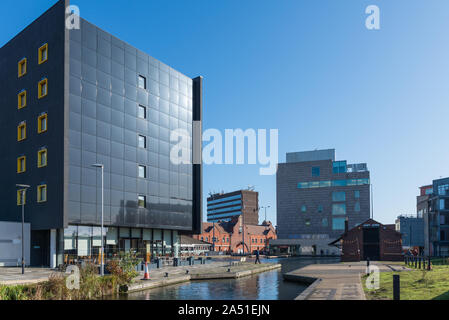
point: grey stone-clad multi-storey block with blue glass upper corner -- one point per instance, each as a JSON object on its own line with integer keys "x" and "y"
{"x": 315, "y": 195}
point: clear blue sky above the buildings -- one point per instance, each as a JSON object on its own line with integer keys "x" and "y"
{"x": 308, "y": 68}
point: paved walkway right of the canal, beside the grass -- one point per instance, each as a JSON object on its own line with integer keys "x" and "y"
{"x": 340, "y": 281}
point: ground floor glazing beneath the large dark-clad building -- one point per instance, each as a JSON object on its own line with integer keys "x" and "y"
{"x": 78, "y": 243}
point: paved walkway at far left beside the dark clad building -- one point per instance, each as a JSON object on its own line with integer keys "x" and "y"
{"x": 14, "y": 276}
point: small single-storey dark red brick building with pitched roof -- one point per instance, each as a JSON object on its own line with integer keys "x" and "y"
{"x": 372, "y": 240}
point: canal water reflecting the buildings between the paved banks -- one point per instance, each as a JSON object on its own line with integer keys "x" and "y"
{"x": 263, "y": 286}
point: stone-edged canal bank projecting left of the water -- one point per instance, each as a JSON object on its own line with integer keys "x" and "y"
{"x": 217, "y": 270}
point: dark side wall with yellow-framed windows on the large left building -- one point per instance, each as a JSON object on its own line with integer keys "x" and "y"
{"x": 48, "y": 28}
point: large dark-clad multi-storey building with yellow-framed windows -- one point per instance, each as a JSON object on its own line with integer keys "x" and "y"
{"x": 72, "y": 98}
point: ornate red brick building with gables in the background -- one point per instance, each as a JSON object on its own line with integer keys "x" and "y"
{"x": 229, "y": 237}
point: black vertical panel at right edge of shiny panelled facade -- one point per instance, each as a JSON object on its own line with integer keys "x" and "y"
{"x": 197, "y": 169}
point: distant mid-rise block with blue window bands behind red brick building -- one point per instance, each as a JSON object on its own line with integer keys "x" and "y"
{"x": 225, "y": 206}
